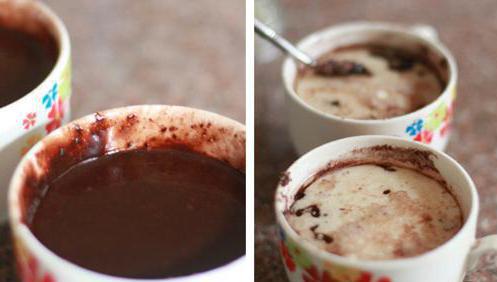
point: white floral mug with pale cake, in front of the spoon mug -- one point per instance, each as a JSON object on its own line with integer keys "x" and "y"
{"x": 446, "y": 263}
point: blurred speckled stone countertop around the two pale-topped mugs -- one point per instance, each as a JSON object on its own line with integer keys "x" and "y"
{"x": 467, "y": 27}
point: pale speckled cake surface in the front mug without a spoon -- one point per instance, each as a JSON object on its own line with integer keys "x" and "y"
{"x": 372, "y": 212}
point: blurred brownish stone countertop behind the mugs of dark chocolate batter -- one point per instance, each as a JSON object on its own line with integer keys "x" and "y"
{"x": 176, "y": 52}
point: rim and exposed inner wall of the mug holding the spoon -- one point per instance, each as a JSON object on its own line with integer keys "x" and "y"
{"x": 318, "y": 43}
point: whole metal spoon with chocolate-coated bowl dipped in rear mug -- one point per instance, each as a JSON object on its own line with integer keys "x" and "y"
{"x": 325, "y": 68}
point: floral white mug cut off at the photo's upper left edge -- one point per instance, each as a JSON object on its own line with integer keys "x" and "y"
{"x": 46, "y": 107}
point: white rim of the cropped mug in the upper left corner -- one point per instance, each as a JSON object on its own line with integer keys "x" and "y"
{"x": 61, "y": 36}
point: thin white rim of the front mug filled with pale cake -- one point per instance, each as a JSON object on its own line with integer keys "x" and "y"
{"x": 385, "y": 264}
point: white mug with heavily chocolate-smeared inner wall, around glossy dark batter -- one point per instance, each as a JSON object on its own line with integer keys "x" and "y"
{"x": 116, "y": 130}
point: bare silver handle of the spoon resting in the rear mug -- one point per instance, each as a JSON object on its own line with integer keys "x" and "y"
{"x": 283, "y": 44}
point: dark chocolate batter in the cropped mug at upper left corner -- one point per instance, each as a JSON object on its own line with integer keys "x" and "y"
{"x": 25, "y": 61}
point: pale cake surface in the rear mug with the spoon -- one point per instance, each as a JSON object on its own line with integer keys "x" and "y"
{"x": 385, "y": 93}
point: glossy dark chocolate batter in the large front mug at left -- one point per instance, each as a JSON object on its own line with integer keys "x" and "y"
{"x": 145, "y": 214}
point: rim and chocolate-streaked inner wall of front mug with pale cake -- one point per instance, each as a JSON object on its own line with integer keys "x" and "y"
{"x": 433, "y": 163}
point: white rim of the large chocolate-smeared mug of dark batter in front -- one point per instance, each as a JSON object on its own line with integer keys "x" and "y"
{"x": 39, "y": 250}
